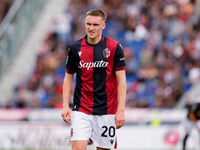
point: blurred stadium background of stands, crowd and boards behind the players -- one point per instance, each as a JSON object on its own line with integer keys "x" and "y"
{"x": 161, "y": 41}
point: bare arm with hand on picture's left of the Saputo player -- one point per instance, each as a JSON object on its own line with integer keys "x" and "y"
{"x": 67, "y": 90}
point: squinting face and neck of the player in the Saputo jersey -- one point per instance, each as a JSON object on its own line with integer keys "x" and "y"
{"x": 94, "y": 27}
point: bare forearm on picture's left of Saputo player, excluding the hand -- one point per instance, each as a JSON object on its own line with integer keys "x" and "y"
{"x": 67, "y": 90}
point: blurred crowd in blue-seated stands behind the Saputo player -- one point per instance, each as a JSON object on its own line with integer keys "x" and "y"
{"x": 161, "y": 42}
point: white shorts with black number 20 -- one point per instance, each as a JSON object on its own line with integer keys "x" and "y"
{"x": 101, "y": 129}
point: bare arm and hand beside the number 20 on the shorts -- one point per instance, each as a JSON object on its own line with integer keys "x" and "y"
{"x": 121, "y": 90}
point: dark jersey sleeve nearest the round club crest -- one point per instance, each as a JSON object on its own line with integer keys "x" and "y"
{"x": 119, "y": 60}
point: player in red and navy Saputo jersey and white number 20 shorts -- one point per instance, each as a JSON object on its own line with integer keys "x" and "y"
{"x": 99, "y": 97}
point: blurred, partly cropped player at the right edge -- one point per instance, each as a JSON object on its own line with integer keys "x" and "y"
{"x": 192, "y": 122}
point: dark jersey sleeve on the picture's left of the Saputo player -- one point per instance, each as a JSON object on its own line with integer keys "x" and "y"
{"x": 70, "y": 65}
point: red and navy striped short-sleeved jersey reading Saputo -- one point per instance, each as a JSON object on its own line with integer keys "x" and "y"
{"x": 95, "y": 65}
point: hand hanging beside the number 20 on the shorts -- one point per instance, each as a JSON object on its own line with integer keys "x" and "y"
{"x": 119, "y": 119}
